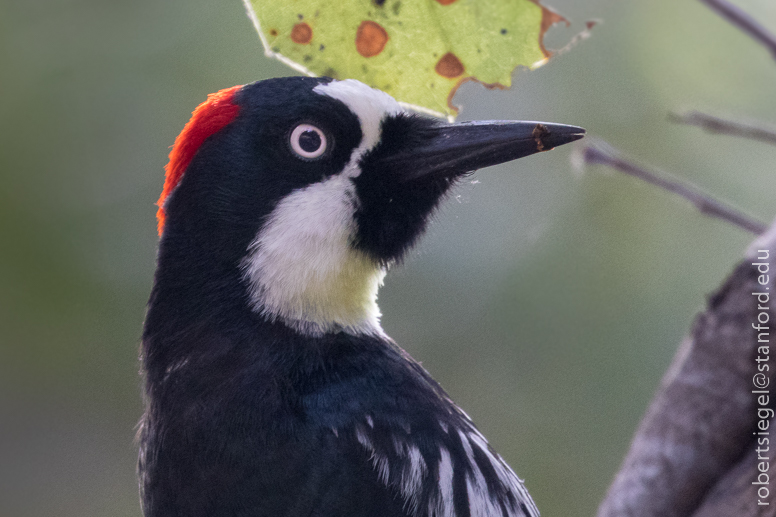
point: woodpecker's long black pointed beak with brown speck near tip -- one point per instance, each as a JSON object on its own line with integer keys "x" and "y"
{"x": 453, "y": 149}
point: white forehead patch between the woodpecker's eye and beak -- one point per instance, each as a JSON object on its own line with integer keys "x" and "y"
{"x": 369, "y": 105}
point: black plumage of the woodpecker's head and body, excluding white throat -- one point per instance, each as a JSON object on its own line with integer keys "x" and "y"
{"x": 248, "y": 416}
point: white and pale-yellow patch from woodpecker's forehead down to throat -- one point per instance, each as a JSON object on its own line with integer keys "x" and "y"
{"x": 301, "y": 268}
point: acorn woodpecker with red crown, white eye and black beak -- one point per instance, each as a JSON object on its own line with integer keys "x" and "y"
{"x": 270, "y": 387}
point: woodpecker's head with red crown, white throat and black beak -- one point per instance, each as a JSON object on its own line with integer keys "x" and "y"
{"x": 307, "y": 189}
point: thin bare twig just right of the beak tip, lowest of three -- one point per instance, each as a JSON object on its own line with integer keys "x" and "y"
{"x": 601, "y": 153}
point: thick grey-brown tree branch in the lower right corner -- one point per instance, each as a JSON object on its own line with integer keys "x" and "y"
{"x": 695, "y": 452}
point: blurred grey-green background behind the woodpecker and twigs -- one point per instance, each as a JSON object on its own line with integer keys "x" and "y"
{"x": 548, "y": 303}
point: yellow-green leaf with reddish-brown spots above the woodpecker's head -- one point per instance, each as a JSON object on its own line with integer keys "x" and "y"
{"x": 419, "y": 51}
